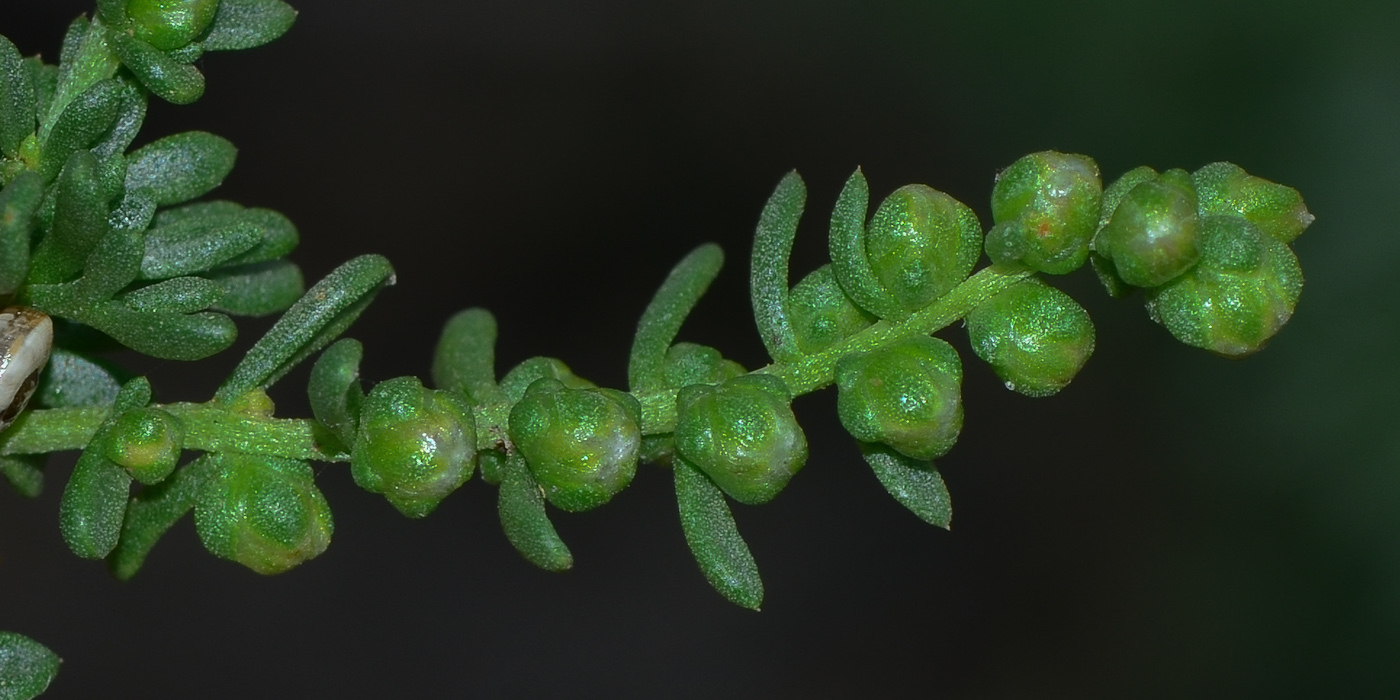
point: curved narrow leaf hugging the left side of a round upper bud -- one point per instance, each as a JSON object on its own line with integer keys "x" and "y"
{"x": 848, "y": 247}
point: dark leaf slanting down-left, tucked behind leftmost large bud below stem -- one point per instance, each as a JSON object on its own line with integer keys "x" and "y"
{"x": 155, "y": 512}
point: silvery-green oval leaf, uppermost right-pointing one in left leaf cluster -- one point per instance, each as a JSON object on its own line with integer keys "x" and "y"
{"x": 181, "y": 167}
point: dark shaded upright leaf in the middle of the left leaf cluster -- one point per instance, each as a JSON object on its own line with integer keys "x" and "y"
{"x": 79, "y": 223}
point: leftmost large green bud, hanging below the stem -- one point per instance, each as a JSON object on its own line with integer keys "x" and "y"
{"x": 264, "y": 513}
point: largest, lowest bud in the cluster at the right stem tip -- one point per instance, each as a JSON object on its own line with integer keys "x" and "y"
{"x": 1238, "y": 296}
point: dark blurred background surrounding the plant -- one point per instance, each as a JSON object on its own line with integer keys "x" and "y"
{"x": 1171, "y": 526}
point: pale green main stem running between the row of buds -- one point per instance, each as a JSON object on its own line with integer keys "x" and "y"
{"x": 215, "y": 429}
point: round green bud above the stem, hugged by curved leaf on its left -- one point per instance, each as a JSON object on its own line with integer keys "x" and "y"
{"x": 922, "y": 244}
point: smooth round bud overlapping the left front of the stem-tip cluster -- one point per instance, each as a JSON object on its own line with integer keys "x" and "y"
{"x": 1153, "y": 234}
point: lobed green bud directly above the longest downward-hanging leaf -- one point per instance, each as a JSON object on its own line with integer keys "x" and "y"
{"x": 743, "y": 435}
